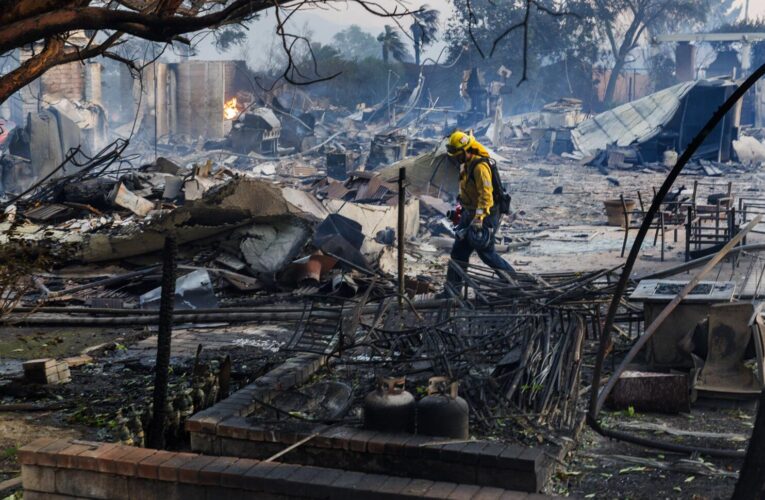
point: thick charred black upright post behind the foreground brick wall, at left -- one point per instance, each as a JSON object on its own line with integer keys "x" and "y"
{"x": 162, "y": 367}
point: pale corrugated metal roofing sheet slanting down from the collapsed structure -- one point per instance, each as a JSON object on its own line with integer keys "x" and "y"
{"x": 634, "y": 122}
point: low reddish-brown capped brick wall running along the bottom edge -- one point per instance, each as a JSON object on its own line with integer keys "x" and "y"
{"x": 66, "y": 469}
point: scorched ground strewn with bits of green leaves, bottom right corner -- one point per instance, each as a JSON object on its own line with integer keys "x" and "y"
{"x": 602, "y": 468}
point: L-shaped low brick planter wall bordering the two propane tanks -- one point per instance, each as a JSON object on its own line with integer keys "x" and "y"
{"x": 224, "y": 429}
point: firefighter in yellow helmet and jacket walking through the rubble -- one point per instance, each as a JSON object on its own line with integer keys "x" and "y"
{"x": 481, "y": 214}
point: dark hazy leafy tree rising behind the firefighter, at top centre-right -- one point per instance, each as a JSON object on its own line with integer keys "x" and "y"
{"x": 561, "y": 50}
